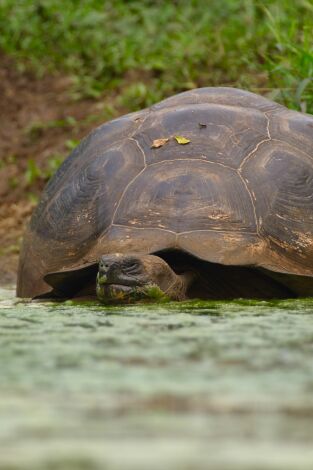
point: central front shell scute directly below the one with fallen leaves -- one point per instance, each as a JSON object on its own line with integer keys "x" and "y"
{"x": 180, "y": 196}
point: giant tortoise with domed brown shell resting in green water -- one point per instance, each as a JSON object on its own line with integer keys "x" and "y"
{"x": 207, "y": 194}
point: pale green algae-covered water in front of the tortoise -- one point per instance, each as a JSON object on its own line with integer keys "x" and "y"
{"x": 221, "y": 385}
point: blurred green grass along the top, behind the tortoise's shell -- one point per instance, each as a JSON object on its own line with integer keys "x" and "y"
{"x": 152, "y": 49}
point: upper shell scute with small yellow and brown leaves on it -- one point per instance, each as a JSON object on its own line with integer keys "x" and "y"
{"x": 226, "y": 136}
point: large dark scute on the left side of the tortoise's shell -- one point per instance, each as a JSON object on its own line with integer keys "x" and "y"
{"x": 88, "y": 201}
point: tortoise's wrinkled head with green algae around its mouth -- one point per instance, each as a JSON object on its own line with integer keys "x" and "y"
{"x": 126, "y": 278}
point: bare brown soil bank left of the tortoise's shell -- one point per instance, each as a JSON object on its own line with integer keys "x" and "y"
{"x": 30, "y": 110}
